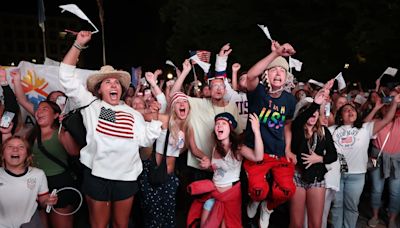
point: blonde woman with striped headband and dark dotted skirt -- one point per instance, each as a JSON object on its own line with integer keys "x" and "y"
{"x": 159, "y": 201}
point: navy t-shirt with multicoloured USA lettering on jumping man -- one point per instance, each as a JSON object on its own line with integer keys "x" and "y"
{"x": 273, "y": 113}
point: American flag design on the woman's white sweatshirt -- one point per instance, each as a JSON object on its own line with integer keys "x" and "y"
{"x": 115, "y": 123}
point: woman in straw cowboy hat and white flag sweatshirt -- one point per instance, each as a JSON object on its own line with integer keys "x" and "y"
{"x": 115, "y": 132}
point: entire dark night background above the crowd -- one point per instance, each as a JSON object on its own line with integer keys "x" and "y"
{"x": 326, "y": 34}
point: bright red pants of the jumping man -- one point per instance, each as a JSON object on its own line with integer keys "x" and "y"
{"x": 282, "y": 187}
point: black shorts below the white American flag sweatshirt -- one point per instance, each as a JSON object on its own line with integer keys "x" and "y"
{"x": 101, "y": 189}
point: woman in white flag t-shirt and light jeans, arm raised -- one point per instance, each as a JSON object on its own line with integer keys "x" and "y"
{"x": 351, "y": 138}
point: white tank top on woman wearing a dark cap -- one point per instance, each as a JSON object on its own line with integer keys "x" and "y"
{"x": 226, "y": 170}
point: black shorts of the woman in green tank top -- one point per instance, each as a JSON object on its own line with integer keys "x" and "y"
{"x": 59, "y": 181}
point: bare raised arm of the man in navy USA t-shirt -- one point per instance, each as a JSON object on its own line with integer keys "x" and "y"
{"x": 259, "y": 68}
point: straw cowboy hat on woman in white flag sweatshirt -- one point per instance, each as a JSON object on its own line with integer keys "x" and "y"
{"x": 105, "y": 72}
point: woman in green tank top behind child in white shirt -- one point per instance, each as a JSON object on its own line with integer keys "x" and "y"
{"x": 46, "y": 138}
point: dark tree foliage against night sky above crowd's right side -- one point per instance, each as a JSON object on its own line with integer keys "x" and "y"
{"x": 326, "y": 34}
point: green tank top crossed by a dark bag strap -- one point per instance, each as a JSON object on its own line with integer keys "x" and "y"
{"x": 55, "y": 148}
